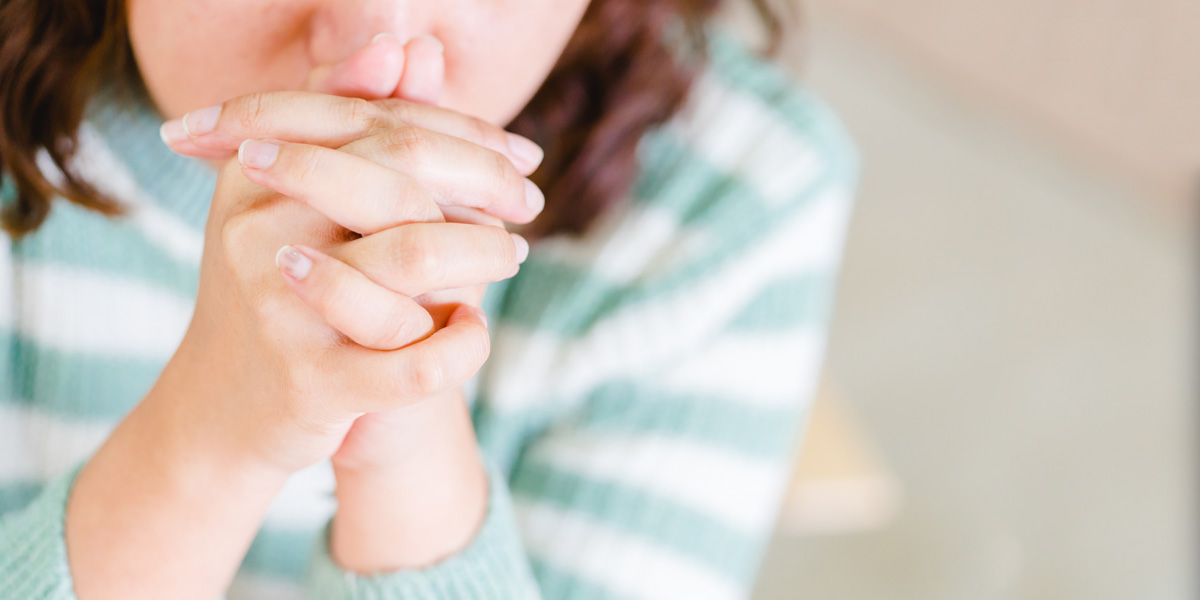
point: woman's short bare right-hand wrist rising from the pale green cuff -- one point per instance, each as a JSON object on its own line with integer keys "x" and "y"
{"x": 421, "y": 509}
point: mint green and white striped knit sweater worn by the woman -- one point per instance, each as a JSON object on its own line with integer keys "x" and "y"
{"x": 639, "y": 413}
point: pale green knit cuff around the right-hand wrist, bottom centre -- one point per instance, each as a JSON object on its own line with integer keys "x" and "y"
{"x": 491, "y": 567}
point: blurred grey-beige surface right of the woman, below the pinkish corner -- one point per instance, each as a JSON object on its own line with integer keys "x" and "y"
{"x": 1017, "y": 340}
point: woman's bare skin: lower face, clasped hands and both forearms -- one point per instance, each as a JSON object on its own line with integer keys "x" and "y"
{"x": 359, "y": 214}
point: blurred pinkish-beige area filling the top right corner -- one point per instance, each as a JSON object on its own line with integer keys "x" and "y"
{"x": 1117, "y": 82}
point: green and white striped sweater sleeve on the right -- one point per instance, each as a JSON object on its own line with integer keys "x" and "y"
{"x": 680, "y": 352}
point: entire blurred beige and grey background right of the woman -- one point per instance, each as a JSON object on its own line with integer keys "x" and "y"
{"x": 1007, "y": 410}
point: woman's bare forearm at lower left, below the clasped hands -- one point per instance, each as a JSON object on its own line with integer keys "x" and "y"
{"x": 163, "y": 512}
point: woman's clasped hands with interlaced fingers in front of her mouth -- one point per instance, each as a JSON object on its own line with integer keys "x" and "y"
{"x": 385, "y": 215}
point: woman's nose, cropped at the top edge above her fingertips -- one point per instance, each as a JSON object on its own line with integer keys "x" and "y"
{"x": 339, "y": 28}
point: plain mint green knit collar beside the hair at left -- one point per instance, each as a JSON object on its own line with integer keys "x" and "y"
{"x": 129, "y": 127}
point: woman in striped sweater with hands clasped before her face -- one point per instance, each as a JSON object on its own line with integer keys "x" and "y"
{"x": 241, "y": 352}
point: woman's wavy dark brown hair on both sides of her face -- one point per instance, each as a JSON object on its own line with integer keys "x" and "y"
{"x": 621, "y": 75}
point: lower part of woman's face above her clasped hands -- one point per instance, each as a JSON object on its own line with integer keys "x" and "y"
{"x": 203, "y": 52}
